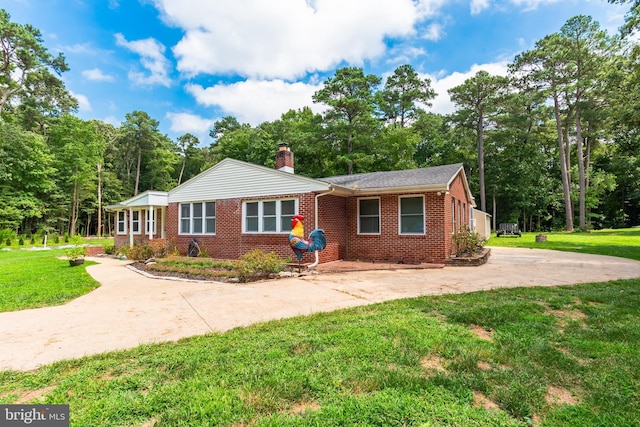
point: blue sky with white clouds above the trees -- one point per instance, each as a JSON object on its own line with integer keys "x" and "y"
{"x": 188, "y": 63}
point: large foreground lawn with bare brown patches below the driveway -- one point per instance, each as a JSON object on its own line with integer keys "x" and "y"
{"x": 562, "y": 356}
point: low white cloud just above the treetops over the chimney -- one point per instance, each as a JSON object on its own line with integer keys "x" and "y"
{"x": 256, "y": 101}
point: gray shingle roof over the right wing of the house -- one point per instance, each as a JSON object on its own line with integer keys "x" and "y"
{"x": 432, "y": 176}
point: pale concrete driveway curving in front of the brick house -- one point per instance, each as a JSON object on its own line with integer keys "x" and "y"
{"x": 130, "y": 309}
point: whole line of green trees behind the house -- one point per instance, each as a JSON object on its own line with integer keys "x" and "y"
{"x": 552, "y": 145}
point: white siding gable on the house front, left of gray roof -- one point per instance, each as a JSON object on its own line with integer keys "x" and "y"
{"x": 232, "y": 179}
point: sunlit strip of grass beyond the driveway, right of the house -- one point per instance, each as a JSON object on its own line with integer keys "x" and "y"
{"x": 623, "y": 243}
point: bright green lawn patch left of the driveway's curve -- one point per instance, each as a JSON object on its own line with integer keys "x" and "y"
{"x": 32, "y": 279}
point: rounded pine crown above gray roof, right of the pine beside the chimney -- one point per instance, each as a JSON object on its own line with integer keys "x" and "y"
{"x": 402, "y": 92}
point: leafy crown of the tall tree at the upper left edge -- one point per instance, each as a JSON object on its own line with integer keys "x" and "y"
{"x": 24, "y": 62}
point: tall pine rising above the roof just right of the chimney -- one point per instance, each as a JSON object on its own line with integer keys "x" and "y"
{"x": 350, "y": 121}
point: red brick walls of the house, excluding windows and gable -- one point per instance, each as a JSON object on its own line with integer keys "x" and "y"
{"x": 338, "y": 216}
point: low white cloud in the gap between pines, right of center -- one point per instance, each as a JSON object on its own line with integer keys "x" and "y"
{"x": 442, "y": 103}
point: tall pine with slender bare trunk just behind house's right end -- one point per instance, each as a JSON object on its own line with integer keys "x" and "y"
{"x": 479, "y": 98}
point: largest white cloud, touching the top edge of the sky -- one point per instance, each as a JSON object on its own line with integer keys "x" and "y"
{"x": 286, "y": 38}
